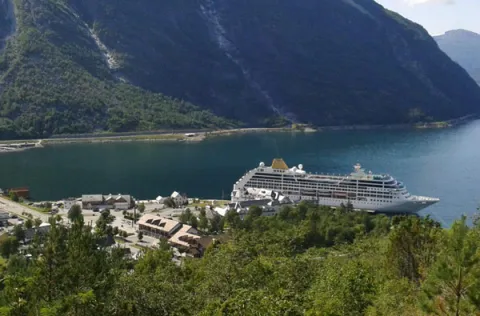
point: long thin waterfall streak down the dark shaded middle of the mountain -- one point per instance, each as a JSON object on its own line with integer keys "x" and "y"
{"x": 219, "y": 35}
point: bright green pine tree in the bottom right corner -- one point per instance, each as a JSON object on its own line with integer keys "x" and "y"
{"x": 453, "y": 284}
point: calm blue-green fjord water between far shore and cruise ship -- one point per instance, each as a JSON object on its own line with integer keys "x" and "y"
{"x": 440, "y": 163}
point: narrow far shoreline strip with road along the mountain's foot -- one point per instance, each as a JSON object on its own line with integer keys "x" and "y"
{"x": 195, "y": 136}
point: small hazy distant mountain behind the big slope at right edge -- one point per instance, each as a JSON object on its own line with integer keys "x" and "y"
{"x": 463, "y": 47}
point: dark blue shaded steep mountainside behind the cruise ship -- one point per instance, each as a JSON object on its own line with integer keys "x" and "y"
{"x": 328, "y": 62}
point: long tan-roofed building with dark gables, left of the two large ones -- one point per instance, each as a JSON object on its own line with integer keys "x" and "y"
{"x": 158, "y": 227}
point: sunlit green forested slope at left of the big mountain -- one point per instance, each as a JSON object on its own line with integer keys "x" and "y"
{"x": 54, "y": 79}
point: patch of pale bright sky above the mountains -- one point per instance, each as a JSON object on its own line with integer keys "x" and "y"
{"x": 439, "y": 16}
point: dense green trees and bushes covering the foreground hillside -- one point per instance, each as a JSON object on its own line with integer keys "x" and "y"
{"x": 306, "y": 260}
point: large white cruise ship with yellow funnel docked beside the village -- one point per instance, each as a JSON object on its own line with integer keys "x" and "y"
{"x": 365, "y": 191}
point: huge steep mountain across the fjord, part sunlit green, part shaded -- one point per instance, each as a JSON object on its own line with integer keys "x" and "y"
{"x": 72, "y": 66}
